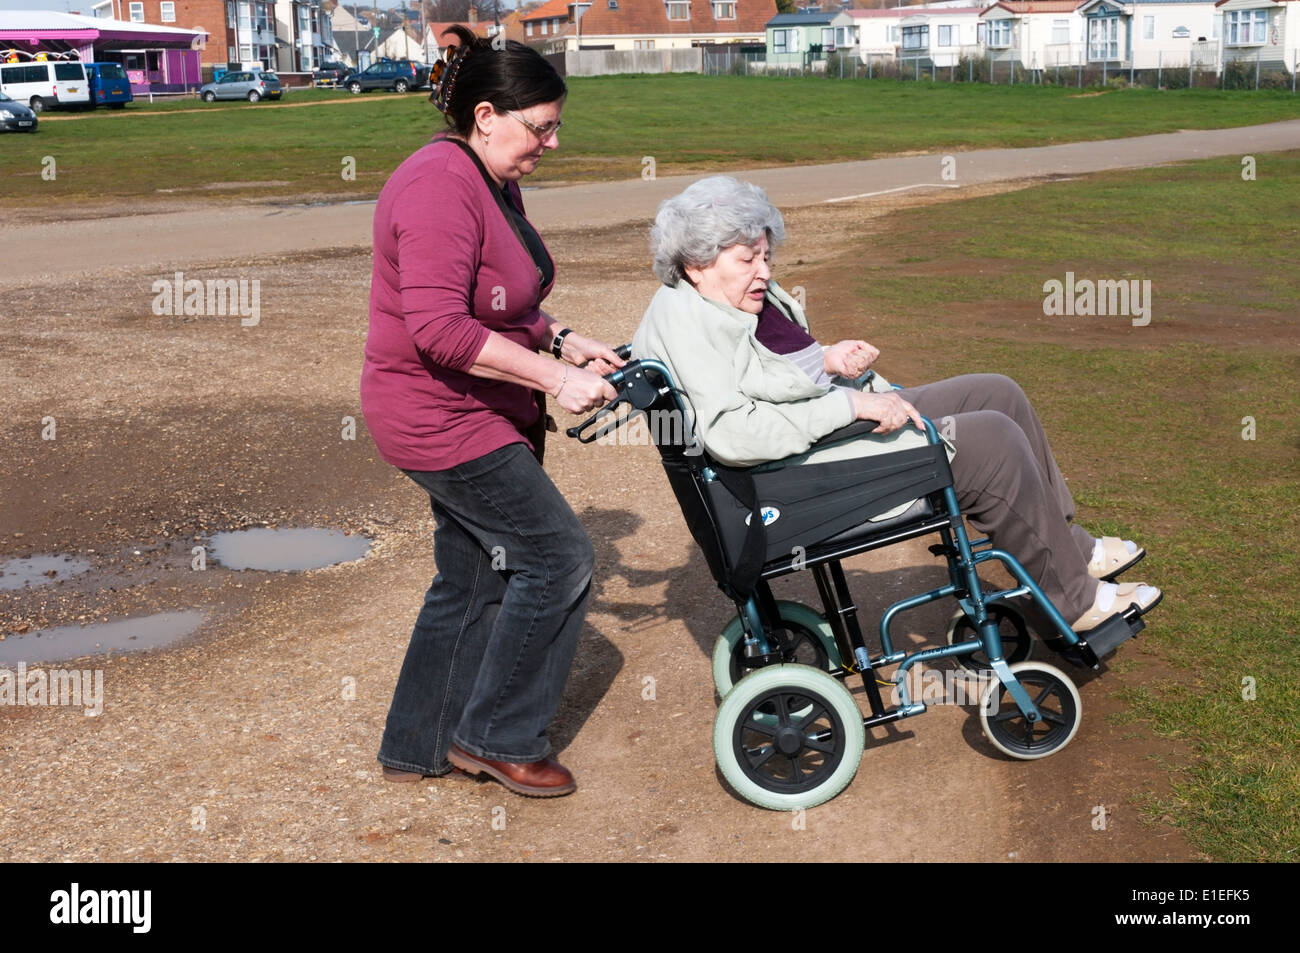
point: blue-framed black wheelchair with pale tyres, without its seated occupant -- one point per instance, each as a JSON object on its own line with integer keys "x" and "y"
{"x": 788, "y": 734}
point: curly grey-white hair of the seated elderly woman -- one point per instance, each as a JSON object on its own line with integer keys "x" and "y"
{"x": 709, "y": 216}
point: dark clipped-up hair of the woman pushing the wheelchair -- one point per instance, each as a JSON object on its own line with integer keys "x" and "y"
{"x": 505, "y": 73}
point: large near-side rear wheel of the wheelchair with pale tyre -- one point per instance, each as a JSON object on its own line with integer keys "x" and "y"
{"x": 788, "y": 738}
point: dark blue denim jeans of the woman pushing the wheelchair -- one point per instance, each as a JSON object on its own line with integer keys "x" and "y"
{"x": 493, "y": 644}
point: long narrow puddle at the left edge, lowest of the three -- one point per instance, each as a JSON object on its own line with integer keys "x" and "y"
{"x": 127, "y": 635}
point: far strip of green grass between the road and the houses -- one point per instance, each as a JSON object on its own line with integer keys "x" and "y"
{"x": 687, "y": 123}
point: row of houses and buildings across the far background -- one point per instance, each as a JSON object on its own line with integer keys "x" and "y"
{"x": 167, "y": 45}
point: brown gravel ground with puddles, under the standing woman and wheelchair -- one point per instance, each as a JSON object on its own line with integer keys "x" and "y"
{"x": 171, "y": 428}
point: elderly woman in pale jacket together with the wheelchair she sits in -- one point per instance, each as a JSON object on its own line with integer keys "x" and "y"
{"x": 796, "y": 456}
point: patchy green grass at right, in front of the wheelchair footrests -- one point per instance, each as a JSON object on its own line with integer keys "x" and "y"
{"x": 1150, "y": 424}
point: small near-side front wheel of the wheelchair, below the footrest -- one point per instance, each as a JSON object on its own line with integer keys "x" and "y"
{"x": 1058, "y": 701}
